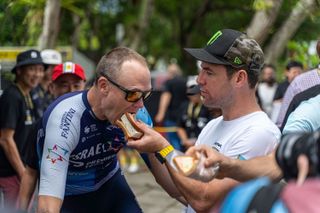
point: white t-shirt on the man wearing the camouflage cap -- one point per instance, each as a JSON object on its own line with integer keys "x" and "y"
{"x": 244, "y": 138}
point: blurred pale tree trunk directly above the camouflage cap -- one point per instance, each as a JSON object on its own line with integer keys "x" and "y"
{"x": 263, "y": 20}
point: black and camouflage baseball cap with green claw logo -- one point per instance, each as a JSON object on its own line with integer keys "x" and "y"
{"x": 231, "y": 47}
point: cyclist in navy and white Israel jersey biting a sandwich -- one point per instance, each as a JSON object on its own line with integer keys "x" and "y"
{"x": 78, "y": 141}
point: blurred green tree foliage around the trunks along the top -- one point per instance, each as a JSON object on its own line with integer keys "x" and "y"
{"x": 90, "y": 26}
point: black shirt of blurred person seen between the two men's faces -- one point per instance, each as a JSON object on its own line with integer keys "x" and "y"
{"x": 177, "y": 88}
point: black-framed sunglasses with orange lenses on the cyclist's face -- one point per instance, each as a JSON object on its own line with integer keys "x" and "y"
{"x": 131, "y": 95}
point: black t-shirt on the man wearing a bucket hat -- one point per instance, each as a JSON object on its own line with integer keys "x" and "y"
{"x": 15, "y": 114}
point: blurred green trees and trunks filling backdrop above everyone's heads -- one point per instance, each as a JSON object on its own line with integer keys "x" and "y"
{"x": 84, "y": 30}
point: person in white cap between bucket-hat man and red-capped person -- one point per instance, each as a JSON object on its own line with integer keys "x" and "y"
{"x": 40, "y": 94}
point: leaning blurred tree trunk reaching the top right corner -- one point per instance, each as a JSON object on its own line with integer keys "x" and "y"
{"x": 278, "y": 42}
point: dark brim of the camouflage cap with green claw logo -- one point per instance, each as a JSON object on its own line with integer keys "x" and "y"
{"x": 202, "y": 55}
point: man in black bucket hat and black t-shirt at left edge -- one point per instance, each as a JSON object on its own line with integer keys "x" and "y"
{"x": 17, "y": 118}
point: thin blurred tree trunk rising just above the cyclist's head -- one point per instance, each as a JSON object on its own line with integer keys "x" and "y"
{"x": 145, "y": 14}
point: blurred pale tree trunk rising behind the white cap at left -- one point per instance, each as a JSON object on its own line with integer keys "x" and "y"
{"x": 50, "y": 24}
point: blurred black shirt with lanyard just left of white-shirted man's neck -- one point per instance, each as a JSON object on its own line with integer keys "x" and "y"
{"x": 193, "y": 118}
